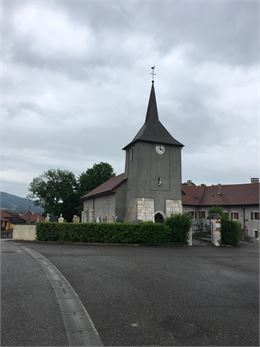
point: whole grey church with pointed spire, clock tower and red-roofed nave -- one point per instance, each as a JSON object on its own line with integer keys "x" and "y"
{"x": 150, "y": 189}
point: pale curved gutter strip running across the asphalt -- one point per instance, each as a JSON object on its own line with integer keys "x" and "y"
{"x": 79, "y": 327}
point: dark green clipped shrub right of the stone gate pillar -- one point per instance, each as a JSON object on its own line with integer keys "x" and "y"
{"x": 230, "y": 232}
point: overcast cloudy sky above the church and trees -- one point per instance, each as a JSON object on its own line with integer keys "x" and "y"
{"x": 75, "y": 82}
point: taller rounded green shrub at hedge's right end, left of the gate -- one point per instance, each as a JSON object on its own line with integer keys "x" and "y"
{"x": 180, "y": 225}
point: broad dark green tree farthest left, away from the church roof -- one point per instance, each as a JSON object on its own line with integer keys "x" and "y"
{"x": 57, "y": 192}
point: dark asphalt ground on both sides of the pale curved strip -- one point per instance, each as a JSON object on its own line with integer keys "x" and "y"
{"x": 187, "y": 296}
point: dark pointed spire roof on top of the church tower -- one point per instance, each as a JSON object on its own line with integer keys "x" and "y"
{"x": 153, "y": 130}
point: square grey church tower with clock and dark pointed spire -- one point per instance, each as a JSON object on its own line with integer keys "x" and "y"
{"x": 153, "y": 170}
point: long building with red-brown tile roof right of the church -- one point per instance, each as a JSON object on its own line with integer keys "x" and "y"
{"x": 239, "y": 202}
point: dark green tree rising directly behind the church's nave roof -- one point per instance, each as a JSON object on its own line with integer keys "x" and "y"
{"x": 94, "y": 176}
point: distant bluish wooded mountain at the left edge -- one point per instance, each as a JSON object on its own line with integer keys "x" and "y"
{"x": 10, "y": 202}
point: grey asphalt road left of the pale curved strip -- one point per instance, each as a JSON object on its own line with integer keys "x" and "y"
{"x": 30, "y": 314}
